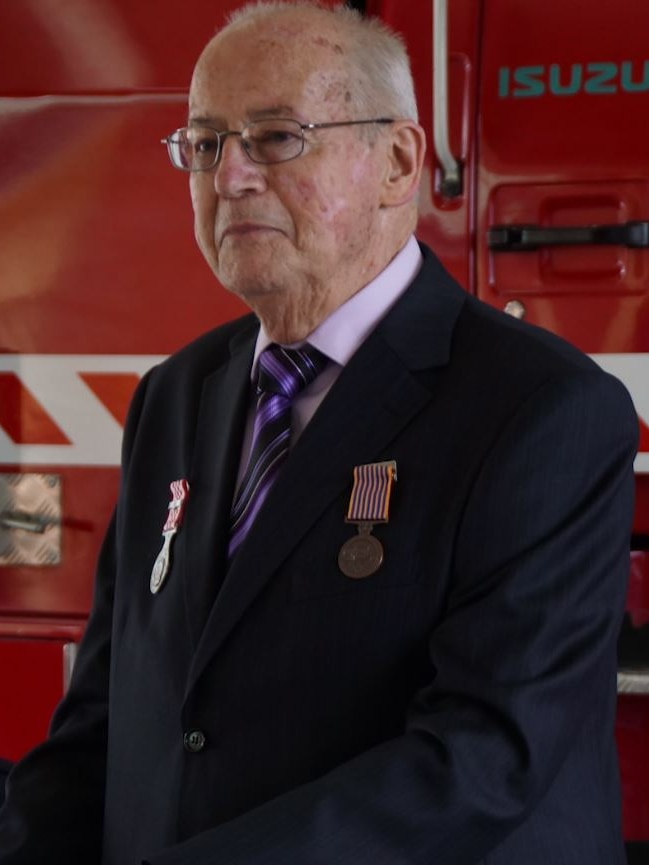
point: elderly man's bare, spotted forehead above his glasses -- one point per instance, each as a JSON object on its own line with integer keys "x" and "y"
{"x": 278, "y": 61}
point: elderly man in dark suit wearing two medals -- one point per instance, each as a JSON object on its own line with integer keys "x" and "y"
{"x": 376, "y": 623}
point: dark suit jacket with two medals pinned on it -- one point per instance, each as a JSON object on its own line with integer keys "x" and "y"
{"x": 455, "y": 708}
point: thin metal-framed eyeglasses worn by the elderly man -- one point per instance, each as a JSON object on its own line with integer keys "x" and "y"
{"x": 198, "y": 148}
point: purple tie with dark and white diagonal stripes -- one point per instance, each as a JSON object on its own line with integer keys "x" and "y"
{"x": 283, "y": 374}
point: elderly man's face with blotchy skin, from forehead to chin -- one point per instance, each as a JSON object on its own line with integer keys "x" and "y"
{"x": 300, "y": 234}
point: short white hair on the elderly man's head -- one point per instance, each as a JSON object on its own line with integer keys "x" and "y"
{"x": 381, "y": 82}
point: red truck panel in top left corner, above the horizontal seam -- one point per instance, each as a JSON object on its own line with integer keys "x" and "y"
{"x": 104, "y": 45}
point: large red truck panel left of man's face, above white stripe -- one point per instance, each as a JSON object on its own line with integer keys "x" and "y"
{"x": 85, "y": 214}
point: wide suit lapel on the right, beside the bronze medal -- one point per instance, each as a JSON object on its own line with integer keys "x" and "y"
{"x": 376, "y": 395}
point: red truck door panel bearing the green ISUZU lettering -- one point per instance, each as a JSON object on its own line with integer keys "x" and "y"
{"x": 562, "y": 85}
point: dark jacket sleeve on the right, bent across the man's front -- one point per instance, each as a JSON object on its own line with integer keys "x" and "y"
{"x": 525, "y": 652}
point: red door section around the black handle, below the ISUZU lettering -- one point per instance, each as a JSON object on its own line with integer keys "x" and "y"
{"x": 593, "y": 296}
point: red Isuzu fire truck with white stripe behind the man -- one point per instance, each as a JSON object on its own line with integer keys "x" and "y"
{"x": 535, "y": 195}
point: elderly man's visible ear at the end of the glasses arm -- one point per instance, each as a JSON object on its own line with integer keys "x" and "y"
{"x": 405, "y": 159}
